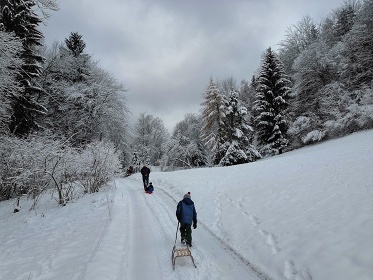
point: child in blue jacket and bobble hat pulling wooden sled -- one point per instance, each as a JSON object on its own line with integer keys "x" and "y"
{"x": 186, "y": 215}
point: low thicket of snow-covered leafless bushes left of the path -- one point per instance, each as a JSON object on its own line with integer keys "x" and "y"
{"x": 31, "y": 166}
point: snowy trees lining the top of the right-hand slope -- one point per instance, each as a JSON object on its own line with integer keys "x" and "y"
{"x": 316, "y": 86}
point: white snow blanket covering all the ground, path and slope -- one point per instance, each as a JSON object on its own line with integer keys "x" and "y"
{"x": 302, "y": 215}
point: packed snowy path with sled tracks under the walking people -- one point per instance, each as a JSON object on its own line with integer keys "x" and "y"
{"x": 149, "y": 228}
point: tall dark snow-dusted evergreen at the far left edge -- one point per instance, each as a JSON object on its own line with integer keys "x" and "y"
{"x": 18, "y": 17}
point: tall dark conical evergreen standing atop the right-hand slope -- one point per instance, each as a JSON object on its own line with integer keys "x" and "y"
{"x": 270, "y": 105}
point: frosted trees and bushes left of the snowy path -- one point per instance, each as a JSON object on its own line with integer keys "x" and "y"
{"x": 63, "y": 119}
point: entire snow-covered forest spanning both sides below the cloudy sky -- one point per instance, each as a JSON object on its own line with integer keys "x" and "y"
{"x": 64, "y": 120}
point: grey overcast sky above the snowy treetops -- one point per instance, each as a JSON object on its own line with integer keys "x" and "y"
{"x": 165, "y": 51}
